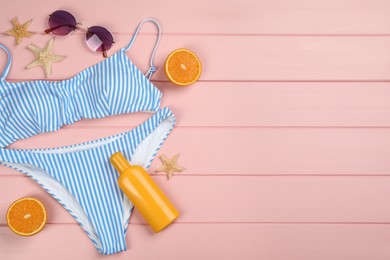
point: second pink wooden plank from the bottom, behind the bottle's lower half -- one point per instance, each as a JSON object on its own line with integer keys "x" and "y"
{"x": 247, "y": 199}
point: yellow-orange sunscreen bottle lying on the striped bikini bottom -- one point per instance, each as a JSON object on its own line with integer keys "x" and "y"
{"x": 144, "y": 193}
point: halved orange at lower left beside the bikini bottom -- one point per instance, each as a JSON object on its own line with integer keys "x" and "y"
{"x": 26, "y": 216}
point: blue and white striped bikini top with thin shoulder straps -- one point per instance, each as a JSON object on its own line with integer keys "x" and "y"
{"x": 110, "y": 87}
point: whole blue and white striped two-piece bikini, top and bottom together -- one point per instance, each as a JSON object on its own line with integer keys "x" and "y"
{"x": 80, "y": 177}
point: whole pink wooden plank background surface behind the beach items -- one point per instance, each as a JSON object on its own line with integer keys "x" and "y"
{"x": 285, "y": 138}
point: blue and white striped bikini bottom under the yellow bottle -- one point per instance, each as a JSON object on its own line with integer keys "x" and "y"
{"x": 81, "y": 178}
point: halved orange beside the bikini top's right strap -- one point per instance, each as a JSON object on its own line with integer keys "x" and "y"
{"x": 183, "y": 67}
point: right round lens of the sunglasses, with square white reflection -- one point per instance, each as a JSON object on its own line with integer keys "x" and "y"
{"x": 99, "y": 39}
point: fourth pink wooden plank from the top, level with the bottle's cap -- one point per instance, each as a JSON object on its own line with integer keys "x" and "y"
{"x": 255, "y": 151}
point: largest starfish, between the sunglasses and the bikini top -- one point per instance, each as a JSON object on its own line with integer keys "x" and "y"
{"x": 44, "y": 57}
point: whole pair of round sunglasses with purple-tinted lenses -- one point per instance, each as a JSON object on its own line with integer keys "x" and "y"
{"x": 98, "y": 38}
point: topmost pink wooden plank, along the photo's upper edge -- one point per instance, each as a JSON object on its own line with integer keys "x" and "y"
{"x": 202, "y": 16}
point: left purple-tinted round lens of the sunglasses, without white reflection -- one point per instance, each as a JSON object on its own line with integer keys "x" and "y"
{"x": 62, "y": 23}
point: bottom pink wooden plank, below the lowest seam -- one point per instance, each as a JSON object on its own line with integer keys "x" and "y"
{"x": 221, "y": 241}
